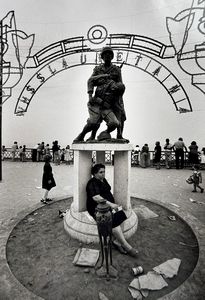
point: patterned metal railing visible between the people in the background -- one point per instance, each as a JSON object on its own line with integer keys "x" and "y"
{"x": 109, "y": 157}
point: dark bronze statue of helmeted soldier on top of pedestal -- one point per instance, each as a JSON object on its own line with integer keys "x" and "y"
{"x": 107, "y": 102}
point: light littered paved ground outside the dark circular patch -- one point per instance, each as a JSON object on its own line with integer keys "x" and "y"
{"x": 20, "y": 193}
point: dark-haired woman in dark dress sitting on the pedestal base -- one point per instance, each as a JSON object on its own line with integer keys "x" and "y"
{"x": 98, "y": 190}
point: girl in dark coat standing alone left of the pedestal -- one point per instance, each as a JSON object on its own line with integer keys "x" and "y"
{"x": 48, "y": 181}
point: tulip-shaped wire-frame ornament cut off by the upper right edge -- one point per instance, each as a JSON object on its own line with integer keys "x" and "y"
{"x": 190, "y": 57}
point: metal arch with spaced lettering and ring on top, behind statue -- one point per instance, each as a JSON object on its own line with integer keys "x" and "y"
{"x": 129, "y": 49}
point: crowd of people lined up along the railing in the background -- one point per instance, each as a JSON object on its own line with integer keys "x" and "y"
{"x": 173, "y": 154}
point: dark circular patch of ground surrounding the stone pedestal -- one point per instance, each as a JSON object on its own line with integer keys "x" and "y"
{"x": 40, "y": 254}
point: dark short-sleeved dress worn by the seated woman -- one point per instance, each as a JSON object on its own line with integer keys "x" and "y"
{"x": 97, "y": 187}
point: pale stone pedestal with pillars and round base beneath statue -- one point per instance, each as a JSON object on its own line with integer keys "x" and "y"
{"x": 77, "y": 222}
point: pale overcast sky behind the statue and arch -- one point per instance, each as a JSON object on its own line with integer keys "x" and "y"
{"x": 58, "y": 110}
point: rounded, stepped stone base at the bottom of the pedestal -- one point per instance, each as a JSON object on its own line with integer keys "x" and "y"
{"x": 81, "y": 226}
